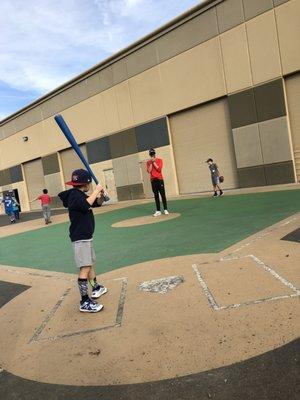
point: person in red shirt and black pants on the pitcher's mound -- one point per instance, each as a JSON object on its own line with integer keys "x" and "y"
{"x": 154, "y": 168}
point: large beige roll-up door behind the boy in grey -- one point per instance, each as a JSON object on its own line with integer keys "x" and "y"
{"x": 198, "y": 134}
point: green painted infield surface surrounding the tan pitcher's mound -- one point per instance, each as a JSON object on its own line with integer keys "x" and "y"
{"x": 206, "y": 225}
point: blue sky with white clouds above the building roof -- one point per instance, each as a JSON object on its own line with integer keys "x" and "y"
{"x": 44, "y": 43}
